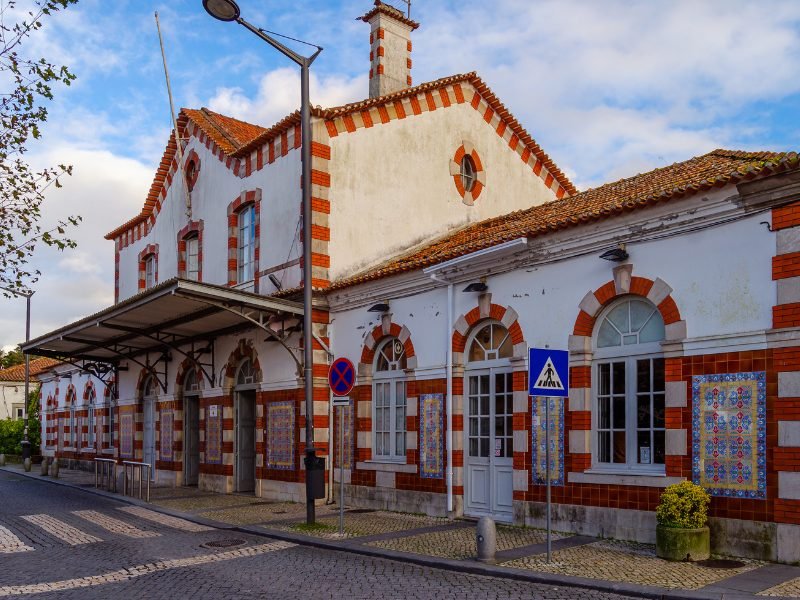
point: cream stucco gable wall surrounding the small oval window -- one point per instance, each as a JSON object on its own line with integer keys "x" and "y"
{"x": 391, "y": 185}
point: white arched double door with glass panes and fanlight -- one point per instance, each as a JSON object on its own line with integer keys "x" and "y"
{"x": 488, "y": 431}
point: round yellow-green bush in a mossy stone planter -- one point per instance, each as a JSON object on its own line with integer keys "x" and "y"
{"x": 682, "y": 515}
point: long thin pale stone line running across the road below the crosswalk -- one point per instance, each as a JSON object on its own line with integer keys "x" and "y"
{"x": 129, "y": 573}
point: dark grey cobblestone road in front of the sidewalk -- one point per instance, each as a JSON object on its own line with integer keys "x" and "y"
{"x": 178, "y": 563}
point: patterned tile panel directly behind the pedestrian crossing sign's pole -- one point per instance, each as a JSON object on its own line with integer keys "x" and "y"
{"x": 539, "y": 440}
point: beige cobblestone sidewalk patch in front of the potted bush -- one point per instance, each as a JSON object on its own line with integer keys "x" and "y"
{"x": 628, "y": 562}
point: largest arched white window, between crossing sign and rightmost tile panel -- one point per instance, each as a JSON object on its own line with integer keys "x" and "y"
{"x": 628, "y": 381}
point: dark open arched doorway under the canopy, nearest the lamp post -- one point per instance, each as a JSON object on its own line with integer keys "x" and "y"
{"x": 244, "y": 415}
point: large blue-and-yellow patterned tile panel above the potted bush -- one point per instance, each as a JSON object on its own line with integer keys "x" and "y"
{"x": 729, "y": 434}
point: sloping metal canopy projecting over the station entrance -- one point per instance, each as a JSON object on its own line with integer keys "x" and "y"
{"x": 170, "y": 316}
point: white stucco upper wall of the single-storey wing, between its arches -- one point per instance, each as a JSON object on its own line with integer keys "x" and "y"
{"x": 721, "y": 286}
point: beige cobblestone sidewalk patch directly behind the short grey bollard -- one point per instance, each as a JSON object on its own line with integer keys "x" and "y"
{"x": 459, "y": 543}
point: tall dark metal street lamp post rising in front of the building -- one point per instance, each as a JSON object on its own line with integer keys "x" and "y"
{"x": 228, "y": 10}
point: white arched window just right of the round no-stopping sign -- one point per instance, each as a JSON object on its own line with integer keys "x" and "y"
{"x": 389, "y": 401}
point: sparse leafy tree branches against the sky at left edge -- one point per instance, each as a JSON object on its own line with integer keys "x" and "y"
{"x": 26, "y": 86}
